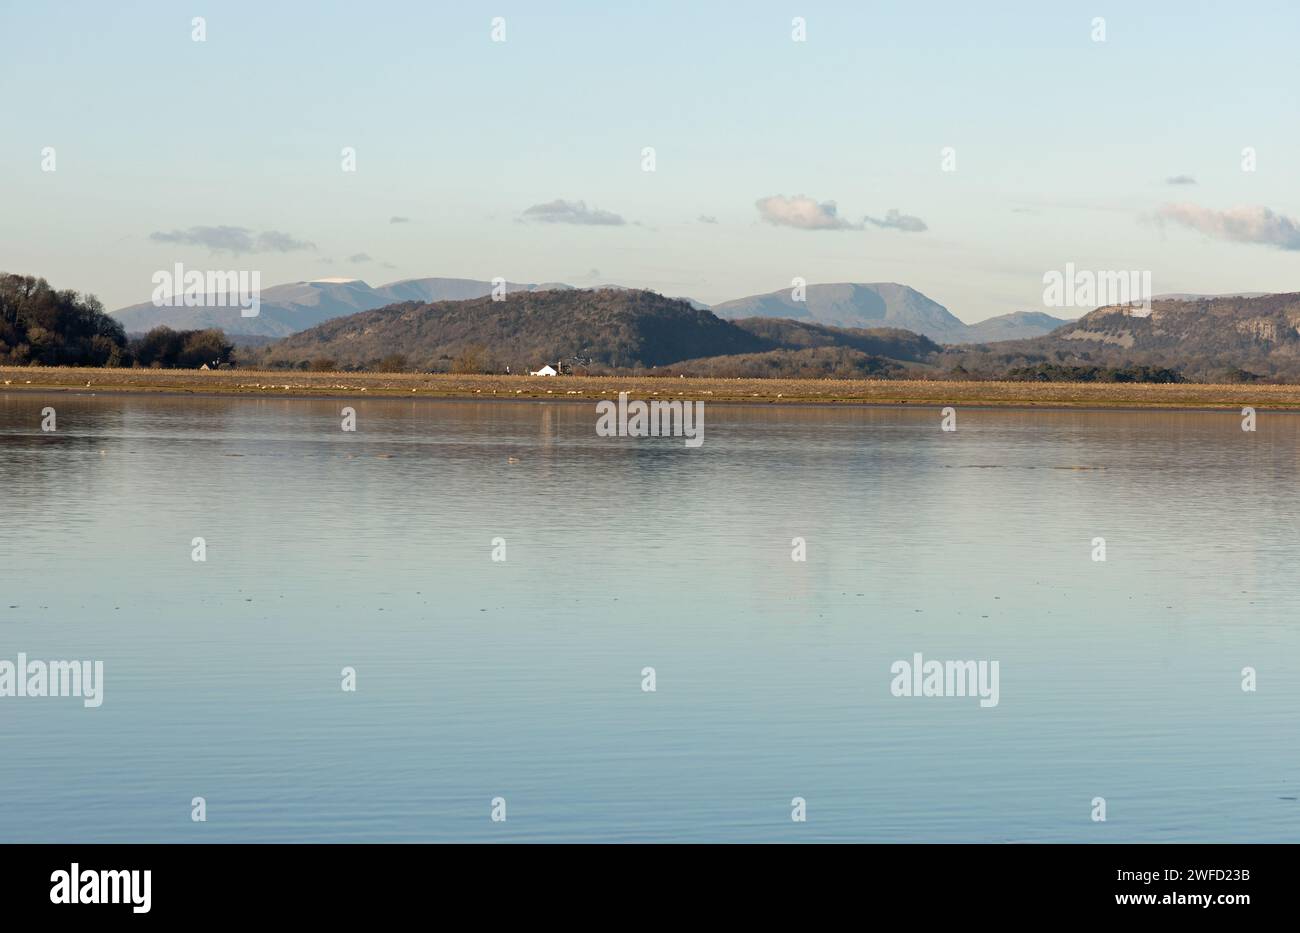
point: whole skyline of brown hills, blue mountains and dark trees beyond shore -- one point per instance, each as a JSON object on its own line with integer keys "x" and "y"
{"x": 1227, "y": 339}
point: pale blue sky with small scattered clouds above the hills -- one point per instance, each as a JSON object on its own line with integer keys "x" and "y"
{"x": 1064, "y": 146}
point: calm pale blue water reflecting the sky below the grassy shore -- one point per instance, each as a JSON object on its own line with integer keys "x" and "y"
{"x": 523, "y": 679}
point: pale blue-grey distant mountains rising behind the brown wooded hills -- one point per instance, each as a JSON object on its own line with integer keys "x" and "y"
{"x": 296, "y": 307}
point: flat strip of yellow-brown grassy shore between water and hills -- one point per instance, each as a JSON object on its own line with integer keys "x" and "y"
{"x": 580, "y": 388}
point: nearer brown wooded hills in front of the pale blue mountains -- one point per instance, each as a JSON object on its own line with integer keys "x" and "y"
{"x": 1203, "y": 339}
